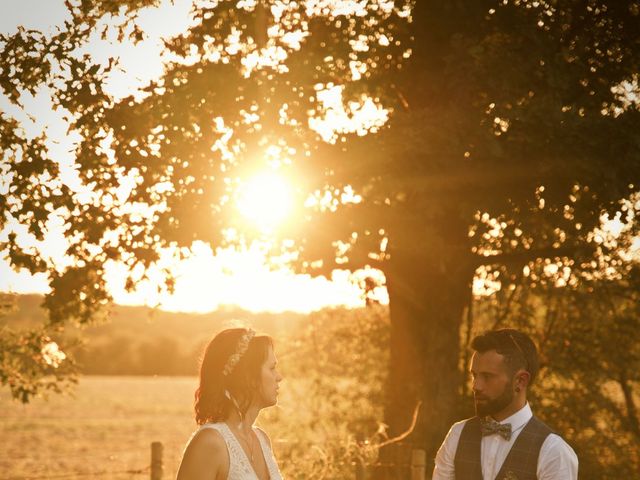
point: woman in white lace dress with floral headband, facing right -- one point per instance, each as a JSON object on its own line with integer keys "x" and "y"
{"x": 238, "y": 378}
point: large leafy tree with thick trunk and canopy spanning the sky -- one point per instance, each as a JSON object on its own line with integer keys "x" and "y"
{"x": 509, "y": 121}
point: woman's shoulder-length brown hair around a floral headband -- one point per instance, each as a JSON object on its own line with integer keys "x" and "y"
{"x": 243, "y": 382}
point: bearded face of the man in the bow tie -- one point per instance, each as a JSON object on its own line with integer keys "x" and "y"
{"x": 492, "y": 383}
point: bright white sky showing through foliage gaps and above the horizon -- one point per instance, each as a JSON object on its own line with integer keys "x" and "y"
{"x": 208, "y": 279}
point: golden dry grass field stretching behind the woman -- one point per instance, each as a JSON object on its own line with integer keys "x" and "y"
{"x": 105, "y": 429}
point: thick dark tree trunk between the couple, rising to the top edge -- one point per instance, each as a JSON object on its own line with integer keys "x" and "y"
{"x": 431, "y": 266}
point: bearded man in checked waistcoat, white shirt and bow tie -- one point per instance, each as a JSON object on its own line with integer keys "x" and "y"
{"x": 504, "y": 441}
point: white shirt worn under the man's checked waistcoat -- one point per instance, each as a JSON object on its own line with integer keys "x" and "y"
{"x": 557, "y": 460}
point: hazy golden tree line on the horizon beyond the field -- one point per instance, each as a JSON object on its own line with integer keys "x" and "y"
{"x": 136, "y": 341}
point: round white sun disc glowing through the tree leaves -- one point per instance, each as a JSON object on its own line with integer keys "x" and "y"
{"x": 265, "y": 201}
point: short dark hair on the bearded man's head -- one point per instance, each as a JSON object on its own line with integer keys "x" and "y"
{"x": 517, "y": 348}
